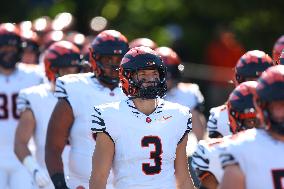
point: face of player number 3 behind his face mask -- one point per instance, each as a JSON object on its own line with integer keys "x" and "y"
{"x": 147, "y": 77}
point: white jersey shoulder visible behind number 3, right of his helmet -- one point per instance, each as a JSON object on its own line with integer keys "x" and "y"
{"x": 187, "y": 94}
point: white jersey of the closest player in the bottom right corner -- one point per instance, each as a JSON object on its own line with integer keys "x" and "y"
{"x": 260, "y": 158}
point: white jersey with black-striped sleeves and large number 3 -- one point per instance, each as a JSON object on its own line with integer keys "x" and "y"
{"x": 145, "y": 146}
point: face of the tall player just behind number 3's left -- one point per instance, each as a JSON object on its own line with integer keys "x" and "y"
{"x": 110, "y": 65}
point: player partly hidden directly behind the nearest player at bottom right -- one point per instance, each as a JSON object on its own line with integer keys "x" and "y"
{"x": 242, "y": 116}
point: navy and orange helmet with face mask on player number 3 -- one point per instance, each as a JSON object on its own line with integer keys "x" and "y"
{"x": 135, "y": 61}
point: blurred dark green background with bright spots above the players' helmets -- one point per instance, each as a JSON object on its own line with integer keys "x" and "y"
{"x": 209, "y": 36}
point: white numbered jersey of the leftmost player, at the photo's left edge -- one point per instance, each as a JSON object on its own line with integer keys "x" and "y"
{"x": 24, "y": 76}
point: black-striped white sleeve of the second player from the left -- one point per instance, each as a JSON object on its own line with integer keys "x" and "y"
{"x": 23, "y": 101}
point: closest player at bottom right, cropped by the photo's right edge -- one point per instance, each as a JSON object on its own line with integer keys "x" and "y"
{"x": 255, "y": 159}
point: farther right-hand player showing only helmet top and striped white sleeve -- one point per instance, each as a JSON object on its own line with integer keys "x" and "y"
{"x": 248, "y": 68}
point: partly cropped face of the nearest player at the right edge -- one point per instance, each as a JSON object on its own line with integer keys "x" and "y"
{"x": 276, "y": 110}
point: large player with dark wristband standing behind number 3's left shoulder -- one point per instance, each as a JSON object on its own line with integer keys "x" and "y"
{"x": 77, "y": 94}
